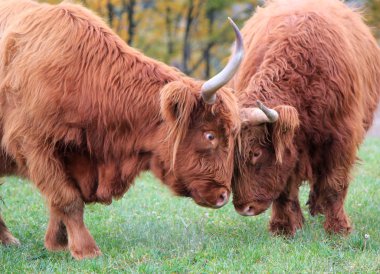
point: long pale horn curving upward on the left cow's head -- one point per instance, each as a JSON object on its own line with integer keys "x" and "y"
{"x": 210, "y": 87}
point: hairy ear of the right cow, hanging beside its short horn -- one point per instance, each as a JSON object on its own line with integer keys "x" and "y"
{"x": 284, "y": 129}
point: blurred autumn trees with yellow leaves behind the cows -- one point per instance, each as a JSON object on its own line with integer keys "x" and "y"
{"x": 193, "y": 35}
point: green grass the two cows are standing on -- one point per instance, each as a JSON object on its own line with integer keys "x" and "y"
{"x": 151, "y": 231}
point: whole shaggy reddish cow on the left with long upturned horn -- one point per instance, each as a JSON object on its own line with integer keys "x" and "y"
{"x": 82, "y": 114}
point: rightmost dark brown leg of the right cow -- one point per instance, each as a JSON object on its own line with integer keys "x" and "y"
{"x": 332, "y": 181}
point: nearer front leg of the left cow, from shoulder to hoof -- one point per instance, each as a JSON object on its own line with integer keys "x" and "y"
{"x": 65, "y": 201}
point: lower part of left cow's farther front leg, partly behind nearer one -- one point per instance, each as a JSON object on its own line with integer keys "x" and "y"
{"x": 56, "y": 234}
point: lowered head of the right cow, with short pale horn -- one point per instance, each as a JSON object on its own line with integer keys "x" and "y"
{"x": 265, "y": 157}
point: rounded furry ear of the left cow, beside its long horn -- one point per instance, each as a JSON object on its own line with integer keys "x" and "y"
{"x": 177, "y": 102}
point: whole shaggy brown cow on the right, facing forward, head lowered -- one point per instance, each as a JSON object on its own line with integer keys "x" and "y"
{"x": 318, "y": 66}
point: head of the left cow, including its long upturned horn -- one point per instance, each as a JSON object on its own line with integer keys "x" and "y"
{"x": 200, "y": 124}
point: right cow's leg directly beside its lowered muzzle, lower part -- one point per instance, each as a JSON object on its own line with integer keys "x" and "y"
{"x": 286, "y": 213}
